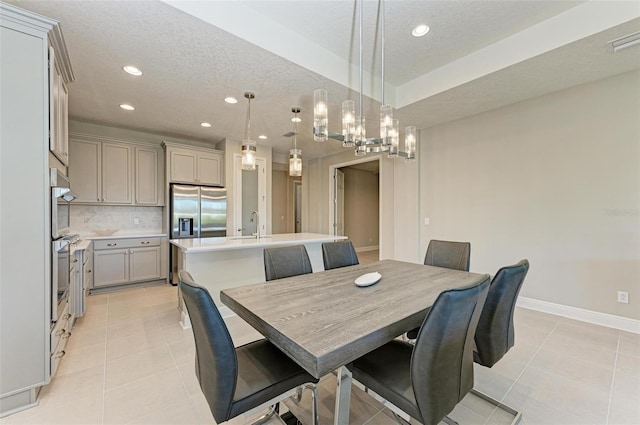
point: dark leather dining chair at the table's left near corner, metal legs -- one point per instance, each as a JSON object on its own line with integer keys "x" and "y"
{"x": 238, "y": 380}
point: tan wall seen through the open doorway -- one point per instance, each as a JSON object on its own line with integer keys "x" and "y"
{"x": 361, "y": 207}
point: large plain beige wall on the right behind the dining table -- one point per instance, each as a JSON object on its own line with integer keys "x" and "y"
{"x": 554, "y": 179}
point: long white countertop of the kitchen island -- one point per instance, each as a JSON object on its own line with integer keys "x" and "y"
{"x": 243, "y": 242}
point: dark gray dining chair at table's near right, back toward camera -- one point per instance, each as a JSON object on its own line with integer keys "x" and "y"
{"x": 427, "y": 381}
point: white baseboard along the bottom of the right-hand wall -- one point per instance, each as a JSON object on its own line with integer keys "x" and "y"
{"x": 597, "y": 318}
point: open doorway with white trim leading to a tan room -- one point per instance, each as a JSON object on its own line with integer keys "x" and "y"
{"x": 355, "y": 194}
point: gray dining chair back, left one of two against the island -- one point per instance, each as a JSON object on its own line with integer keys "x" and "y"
{"x": 286, "y": 261}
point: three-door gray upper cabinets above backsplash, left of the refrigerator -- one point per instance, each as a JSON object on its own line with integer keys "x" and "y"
{"x": 106, "y": 171}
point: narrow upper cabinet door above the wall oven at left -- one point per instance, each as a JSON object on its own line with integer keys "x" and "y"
{"x": 58, "y": 110}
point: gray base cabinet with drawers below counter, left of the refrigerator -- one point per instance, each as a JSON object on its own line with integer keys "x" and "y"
{"x": 124, "y": 261}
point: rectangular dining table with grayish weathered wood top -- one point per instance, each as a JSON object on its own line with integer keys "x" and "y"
{"x": 324, "y": 321}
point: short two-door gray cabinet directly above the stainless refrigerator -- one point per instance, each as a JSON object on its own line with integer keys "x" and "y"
{"x": 194, "y": 165}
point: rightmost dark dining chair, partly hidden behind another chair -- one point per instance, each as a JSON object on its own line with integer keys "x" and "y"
{"x": 495, "y": 332}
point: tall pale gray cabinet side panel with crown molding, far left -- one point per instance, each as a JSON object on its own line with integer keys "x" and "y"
{"x": 25, "y": 304}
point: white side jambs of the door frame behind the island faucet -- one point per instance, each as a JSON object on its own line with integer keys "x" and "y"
{"x": 261, "y": 162}
